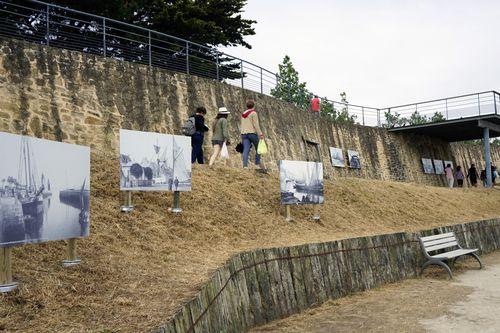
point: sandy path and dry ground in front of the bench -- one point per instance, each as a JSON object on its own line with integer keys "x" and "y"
{"x": 471, "y": 303}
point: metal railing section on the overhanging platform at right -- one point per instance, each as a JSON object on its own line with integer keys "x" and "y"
{"x": 457, "y": 107}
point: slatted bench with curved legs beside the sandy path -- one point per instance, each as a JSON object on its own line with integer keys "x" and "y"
{"x": 449, "y": 251}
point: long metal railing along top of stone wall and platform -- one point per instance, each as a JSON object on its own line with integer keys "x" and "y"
{"x": 66, "y": 28}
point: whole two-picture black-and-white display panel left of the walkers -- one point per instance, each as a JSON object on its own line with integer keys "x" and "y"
{"x": 154, "y": 162}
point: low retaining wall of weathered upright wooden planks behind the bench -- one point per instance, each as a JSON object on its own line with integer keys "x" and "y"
{"x": 260, "y": 286}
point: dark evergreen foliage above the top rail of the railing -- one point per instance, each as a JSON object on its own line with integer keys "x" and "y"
{"x": 215, "y": 22}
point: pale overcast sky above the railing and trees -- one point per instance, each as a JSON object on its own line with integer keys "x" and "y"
{"x": 381, "y": 52}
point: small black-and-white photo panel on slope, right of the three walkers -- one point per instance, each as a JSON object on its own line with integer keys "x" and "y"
{"x": 301, "y": 182}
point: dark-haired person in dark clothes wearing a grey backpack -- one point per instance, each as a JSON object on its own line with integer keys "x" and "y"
{"x": 196, "y": 128}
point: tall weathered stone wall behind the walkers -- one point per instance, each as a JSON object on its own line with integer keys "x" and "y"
{"x": 78, "y": 98}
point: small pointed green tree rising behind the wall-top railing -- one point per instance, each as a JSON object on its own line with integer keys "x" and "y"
{"x": 289, "y": 87}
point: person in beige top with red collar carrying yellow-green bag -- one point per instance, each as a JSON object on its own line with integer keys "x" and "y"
{"x": 250, "y": 134}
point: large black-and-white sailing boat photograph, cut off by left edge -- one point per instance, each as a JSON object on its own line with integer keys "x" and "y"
{"x": 44, "y": 190}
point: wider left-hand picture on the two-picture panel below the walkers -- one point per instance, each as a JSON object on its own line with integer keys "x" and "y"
{"x": 146, "y": 161}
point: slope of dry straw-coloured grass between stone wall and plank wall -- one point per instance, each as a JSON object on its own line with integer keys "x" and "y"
{"x": 139, "y": 268}
